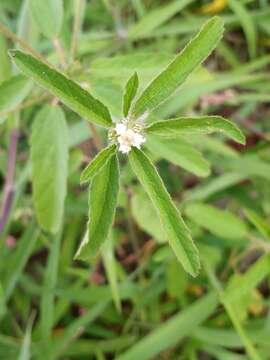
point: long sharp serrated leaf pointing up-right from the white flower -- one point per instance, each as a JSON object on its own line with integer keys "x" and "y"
{"x": 182, "y": 66}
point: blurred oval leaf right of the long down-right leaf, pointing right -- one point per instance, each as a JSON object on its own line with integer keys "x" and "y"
{"x": 225, "y": 224}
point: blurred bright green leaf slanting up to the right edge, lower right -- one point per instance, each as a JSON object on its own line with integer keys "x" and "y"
{"x": 248, "y": 281}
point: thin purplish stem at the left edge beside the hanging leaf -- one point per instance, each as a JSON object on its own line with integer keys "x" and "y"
{"x": 9, "y": 182}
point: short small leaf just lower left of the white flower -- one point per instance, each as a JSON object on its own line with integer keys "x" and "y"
{"x": 97, "y": 163}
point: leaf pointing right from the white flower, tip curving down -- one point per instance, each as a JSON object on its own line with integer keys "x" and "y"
{"x": 196, "y": 125}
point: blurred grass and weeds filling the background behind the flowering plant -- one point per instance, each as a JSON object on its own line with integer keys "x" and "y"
{"x": 134, "y": 300}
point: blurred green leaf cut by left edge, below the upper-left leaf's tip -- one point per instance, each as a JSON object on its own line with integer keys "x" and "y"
{"x": 12, "y": 92}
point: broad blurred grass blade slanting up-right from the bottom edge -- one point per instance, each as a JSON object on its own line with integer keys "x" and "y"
{"x": 171, "y": 332}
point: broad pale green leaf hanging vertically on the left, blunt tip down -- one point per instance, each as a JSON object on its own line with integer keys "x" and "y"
{"x": 49, "y": 156}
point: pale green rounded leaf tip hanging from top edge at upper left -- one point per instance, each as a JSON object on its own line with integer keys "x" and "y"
{"x": 48, "y": 16}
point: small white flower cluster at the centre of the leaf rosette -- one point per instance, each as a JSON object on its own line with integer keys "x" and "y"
{"x": 127, "y": 138}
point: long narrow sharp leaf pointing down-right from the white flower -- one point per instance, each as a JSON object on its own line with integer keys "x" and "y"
{"x": 178, "y": 234}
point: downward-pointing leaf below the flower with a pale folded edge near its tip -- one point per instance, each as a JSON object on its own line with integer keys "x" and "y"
{"x": 102, "y": 204}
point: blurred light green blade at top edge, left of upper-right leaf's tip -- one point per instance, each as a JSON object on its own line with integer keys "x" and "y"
{"x": 154, "y": 19}
